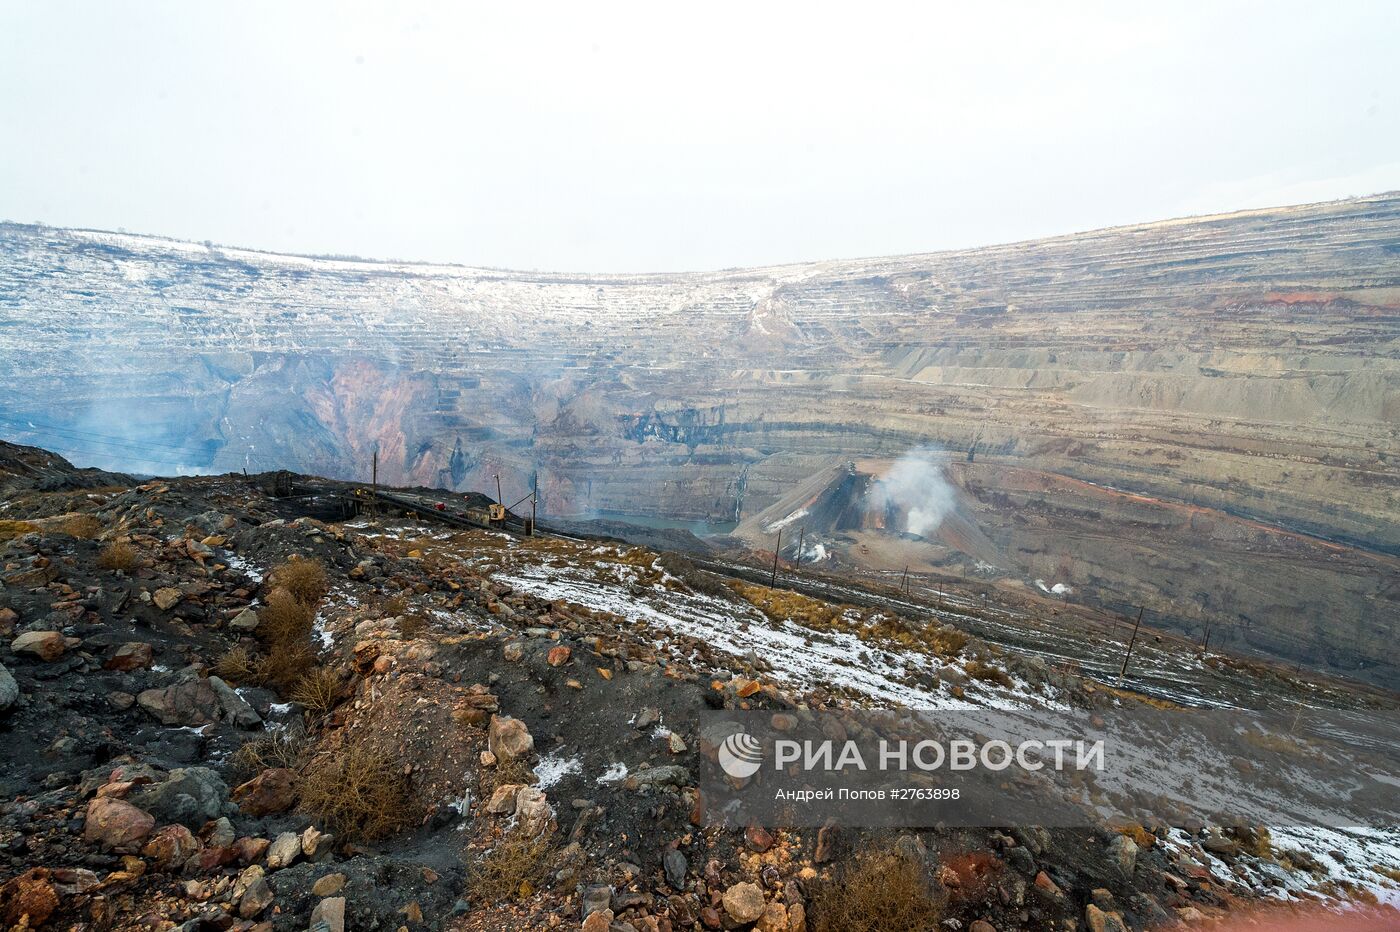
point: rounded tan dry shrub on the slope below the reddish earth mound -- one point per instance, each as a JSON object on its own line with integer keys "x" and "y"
{"x": 359, "y": 793}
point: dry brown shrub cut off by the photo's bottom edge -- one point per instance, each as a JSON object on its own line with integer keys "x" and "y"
{"x": 877, "y": 892}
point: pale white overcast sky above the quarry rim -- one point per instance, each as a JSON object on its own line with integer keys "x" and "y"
{"x": 668, "y": 136}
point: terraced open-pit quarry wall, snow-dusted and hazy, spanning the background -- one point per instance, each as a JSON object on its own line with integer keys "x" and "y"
{"x": 1244, "y": 366}
